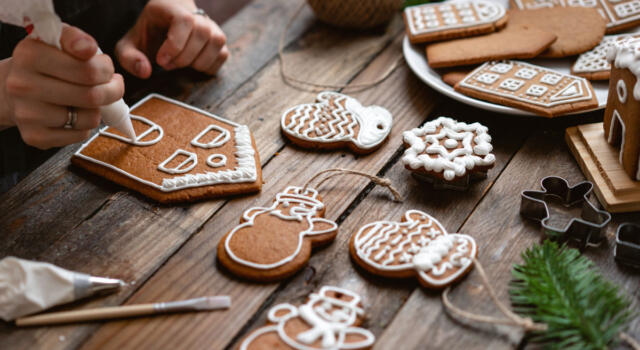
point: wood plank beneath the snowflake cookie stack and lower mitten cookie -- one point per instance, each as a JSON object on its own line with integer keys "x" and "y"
{"x": 383, "y": 297}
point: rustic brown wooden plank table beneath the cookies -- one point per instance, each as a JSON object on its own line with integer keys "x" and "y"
{"x": 63, "y": 215}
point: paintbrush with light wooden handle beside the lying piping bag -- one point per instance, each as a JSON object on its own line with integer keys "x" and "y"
{"x": 105, "y": 313}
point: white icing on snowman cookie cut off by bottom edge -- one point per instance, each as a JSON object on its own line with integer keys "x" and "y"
{"x": 332, "y": 332}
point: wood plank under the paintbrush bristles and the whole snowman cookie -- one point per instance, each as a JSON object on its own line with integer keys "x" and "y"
{"x": 194, "y": 270}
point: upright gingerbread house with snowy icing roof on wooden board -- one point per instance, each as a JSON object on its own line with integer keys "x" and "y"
{"x": 622, "y": 115}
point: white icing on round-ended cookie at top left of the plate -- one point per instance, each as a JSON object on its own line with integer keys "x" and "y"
{"x": 481, "y": 7}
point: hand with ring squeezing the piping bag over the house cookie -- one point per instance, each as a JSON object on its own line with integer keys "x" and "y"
{"x": 41, "y": 83}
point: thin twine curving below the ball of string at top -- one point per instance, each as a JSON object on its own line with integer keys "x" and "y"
{"x": 316, "y": 87}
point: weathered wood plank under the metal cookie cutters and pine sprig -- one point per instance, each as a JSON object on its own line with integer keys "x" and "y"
{"x": 502, "y": 235}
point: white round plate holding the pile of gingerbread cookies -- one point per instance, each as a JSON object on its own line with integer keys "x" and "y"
{"x": 417, "y": 61}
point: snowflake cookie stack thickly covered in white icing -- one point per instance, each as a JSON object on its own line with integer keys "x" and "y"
{"x": 448, "y": 152}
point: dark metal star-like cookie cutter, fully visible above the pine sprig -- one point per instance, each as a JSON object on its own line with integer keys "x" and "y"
{"x": 586, "y": 229}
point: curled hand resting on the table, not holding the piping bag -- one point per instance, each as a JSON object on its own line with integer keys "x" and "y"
{"x": 170, "y": 31}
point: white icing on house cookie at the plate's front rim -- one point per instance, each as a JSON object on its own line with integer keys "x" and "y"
{"x": 582, "y": 82}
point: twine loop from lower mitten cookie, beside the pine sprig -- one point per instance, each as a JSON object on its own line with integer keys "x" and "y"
{"x": 513, "y": 320}
